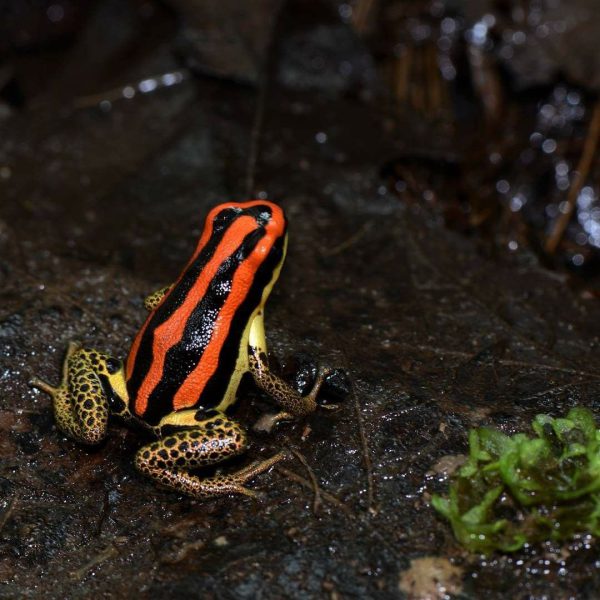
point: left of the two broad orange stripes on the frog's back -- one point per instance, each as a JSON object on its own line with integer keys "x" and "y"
{"x": 170, "y": 332}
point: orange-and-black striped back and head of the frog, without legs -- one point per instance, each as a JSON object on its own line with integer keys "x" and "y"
{"x": 186, "y": 353}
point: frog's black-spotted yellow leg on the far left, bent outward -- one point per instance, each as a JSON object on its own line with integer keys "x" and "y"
{"x": 81, "y": 405}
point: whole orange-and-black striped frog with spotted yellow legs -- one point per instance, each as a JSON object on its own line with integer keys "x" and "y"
{"x": 202, "y": 334}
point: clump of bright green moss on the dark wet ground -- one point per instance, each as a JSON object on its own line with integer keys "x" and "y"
{"x": 518, "y": 489}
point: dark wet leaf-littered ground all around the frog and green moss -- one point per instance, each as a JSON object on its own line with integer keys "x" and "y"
{"x": 410, "y": 150}
